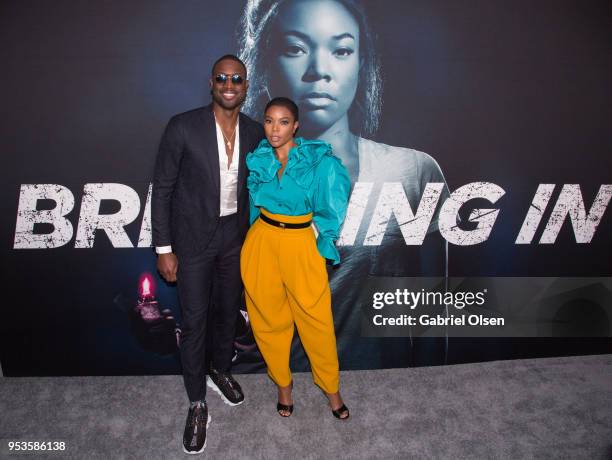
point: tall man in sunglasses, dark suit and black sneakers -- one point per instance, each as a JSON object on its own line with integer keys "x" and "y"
{"x": 200, "y": 218}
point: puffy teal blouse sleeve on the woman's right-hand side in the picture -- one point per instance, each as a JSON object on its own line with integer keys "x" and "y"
{"x": 332, "y": 188}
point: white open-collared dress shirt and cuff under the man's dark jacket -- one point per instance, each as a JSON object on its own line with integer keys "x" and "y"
{"x": 228, "y": 179}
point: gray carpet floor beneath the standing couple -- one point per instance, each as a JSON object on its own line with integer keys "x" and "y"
{"x": 542, "y": 408}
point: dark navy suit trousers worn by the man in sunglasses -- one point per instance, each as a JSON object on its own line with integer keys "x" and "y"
{"x": 209, "y": 286}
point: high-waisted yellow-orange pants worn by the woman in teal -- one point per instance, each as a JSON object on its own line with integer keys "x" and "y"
{"x": 286, "y": 283}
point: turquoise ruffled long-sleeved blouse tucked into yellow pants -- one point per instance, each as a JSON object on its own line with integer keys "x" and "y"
{"x": 314, "y": 180}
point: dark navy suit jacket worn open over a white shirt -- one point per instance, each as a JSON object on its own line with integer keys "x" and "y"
{"x": 186, "y": 190}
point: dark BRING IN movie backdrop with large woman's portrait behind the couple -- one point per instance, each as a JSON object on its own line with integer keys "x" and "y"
{"x": 478, "y": 146}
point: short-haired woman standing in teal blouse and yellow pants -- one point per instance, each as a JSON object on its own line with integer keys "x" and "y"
{"x": 293, "y": 183}
